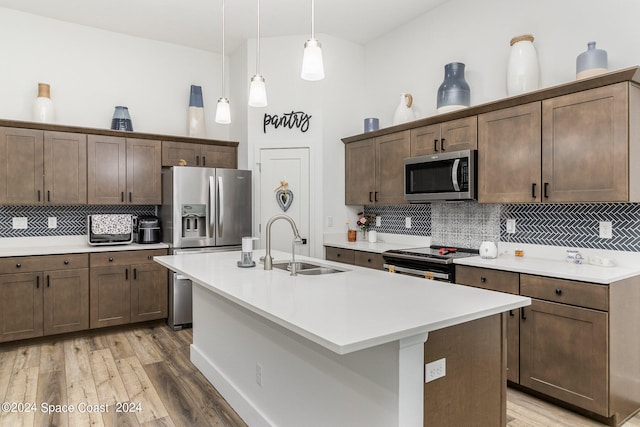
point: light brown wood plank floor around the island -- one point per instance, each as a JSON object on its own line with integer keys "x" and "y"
{"x": 147, "y": 370}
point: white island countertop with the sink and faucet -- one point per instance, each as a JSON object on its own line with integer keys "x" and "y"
{"x": 347, "y": 311}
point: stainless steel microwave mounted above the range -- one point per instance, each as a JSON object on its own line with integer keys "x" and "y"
{"x": 441, "y": 177}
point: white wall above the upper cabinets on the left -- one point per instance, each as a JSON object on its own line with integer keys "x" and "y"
{"x": 91, "y": 71}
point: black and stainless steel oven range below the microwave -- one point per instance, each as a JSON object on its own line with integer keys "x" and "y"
{"x": 434, "y": 262}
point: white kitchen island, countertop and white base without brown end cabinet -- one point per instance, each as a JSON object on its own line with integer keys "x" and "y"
{"x": 342, "y": 349}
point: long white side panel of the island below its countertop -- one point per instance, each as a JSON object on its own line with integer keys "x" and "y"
{"x": 302, "y": 382}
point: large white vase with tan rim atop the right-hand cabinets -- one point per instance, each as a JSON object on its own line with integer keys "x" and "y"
{"x": 523, "y": 70}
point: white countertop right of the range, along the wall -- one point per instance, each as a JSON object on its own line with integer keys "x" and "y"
{"x": 553, "y": 268}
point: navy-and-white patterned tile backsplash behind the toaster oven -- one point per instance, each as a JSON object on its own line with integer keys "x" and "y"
{"x": 71, "y": 220}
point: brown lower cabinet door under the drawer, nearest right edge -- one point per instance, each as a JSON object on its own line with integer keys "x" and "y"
{"x": 563, "y": 354}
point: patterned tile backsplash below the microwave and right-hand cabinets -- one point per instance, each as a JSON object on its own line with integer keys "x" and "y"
{"x": 467, "y": 224}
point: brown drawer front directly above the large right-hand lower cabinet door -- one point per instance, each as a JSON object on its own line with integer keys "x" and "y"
{"x": 565, "y": 291}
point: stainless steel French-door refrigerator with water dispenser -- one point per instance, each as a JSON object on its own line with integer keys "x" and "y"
{"x": 203, "y": 210}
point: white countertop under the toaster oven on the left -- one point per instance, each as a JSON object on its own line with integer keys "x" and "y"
{"x": 21, "y": 246}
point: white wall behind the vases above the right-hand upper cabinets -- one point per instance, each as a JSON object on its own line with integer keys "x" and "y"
{"x": 412, "y": 58}
